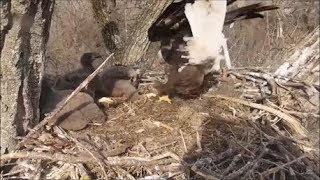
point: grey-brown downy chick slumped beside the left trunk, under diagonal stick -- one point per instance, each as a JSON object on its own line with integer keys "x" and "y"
{"x": 76, "y": 115}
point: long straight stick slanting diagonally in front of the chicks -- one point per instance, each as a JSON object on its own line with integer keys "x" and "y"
{"x": 51, "y": 117}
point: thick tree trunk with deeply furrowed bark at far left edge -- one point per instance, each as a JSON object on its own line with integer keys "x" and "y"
{"x": 24, "y": 32}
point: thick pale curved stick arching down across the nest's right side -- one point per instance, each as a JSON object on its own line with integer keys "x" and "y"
{"x": 291, "y": 122}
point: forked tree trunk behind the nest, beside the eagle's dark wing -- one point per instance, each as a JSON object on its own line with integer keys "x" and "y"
{"x": 132, "y": 21}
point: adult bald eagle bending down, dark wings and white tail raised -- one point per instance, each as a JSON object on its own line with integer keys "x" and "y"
{"x": 190, "y": 33}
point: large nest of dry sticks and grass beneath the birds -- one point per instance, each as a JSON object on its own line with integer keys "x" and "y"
{"x": 252, "y": 125}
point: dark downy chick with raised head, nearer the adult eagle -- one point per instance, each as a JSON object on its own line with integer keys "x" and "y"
{"x": 115, "y": 81}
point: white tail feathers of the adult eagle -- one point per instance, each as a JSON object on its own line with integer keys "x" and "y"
{"x": 206, "y": 19}
